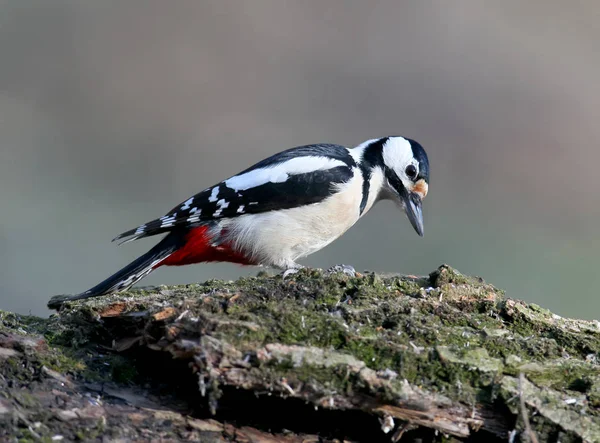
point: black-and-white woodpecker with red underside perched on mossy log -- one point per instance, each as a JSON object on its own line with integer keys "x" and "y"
{"x": 283, "y": 208}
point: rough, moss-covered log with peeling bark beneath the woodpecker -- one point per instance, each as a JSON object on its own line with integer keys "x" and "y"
{"x": 311, "y": 358}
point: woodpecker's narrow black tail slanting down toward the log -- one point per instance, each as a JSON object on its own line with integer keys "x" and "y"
{"x": 130, "y": 274}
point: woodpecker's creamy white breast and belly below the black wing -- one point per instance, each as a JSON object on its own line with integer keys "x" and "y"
{"x": 279, "y": 238}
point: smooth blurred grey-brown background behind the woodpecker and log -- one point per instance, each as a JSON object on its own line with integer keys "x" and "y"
{"x": 113, "y": 112}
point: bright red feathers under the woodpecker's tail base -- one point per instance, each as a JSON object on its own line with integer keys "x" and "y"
{"x": 198, "y": 249}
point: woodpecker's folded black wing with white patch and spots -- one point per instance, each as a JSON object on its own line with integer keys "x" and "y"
{"x": 290, "y": 179}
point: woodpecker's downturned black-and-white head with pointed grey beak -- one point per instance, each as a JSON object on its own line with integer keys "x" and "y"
{"x": 406, "y": 176}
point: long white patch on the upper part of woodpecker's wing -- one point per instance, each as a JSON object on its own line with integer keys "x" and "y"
{"x": 280, "y": 172}
